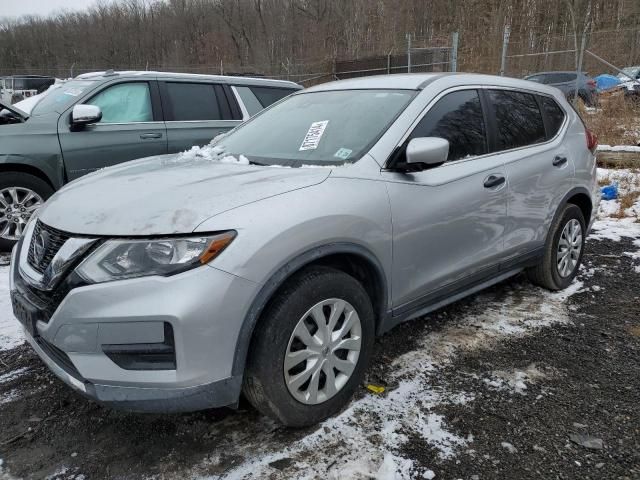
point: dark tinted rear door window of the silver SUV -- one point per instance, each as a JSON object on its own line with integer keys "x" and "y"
{"x": 518, "y": 118}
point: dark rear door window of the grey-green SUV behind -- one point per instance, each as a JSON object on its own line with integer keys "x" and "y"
{"x": 191, "y": 102}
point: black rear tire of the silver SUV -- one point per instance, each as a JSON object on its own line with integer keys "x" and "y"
{"x": 548, "y": 273}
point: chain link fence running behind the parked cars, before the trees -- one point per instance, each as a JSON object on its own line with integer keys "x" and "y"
{"x": 517, "y": 55}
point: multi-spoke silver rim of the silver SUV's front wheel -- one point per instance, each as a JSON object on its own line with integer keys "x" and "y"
{"x": 323, "y": 351}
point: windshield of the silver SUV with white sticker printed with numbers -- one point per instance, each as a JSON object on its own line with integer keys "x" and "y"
{"x": 318, "y": 128}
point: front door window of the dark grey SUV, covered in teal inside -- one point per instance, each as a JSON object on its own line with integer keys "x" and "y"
{"x": 124, "y": 103}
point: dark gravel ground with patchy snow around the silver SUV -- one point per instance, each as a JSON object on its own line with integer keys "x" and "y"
{"x": 512, "y": 383}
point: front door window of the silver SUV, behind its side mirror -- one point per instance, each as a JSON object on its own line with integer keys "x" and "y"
{"x": 458, "y": 118}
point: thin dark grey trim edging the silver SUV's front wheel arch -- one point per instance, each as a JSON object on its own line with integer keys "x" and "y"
{"x": 283, "y": 273}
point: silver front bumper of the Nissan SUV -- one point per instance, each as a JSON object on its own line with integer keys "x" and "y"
{"x": 205, "y": 308}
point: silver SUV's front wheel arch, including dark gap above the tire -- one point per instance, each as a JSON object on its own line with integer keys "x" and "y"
{"x": 351, "y": 258}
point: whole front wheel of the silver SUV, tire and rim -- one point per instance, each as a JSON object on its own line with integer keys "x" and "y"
{"x": 311, "y": 348}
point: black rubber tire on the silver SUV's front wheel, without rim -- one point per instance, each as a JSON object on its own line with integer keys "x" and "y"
{"x": 265, "y": 382}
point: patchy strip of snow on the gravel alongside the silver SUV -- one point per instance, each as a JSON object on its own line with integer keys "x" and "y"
{"x": 366, "y": 439}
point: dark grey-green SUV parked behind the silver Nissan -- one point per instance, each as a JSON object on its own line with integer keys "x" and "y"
{"x": 102, "y": 119}
